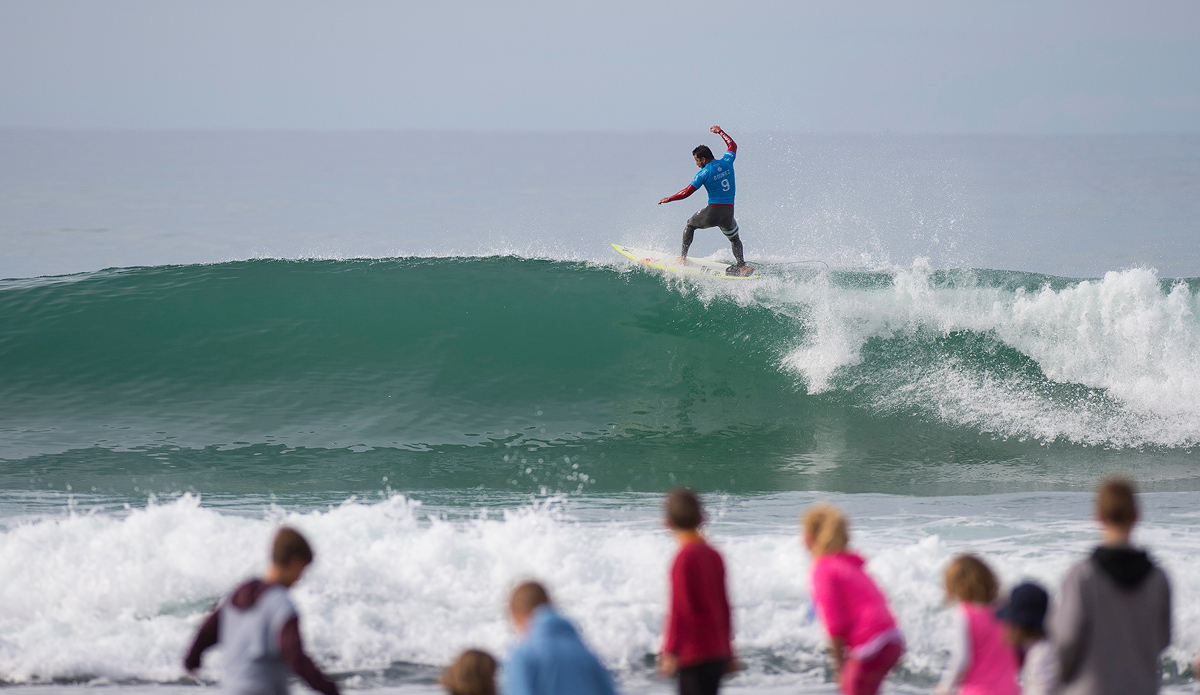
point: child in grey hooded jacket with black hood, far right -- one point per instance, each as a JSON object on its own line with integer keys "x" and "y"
{"x": 1114, "y": 614}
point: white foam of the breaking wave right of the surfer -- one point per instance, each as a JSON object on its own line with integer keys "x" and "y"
{"x": 1130, "y": 341}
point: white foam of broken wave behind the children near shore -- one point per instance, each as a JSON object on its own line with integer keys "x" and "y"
{"x": 118, "y": 595}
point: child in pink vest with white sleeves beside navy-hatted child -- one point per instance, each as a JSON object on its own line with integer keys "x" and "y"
{"x": 982, "y": 662}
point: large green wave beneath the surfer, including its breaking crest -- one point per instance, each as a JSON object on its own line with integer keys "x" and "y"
{"x": 527, "y": 374}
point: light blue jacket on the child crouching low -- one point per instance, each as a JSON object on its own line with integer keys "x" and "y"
{"x": 554, "y": 661}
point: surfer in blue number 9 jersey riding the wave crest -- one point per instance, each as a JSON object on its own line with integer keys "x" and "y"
{"x": 717, "y": 177}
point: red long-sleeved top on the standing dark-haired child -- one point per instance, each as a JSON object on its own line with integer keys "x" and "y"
{"x": 699, "y": 626}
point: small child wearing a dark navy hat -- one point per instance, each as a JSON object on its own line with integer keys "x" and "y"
{"x": 1024, "y": 618}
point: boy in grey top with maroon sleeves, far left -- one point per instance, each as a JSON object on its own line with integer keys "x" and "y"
{"x": 260, "y": 631}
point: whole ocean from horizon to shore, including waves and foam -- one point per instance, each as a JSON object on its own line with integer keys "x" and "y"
{"x": 421, "y": 350}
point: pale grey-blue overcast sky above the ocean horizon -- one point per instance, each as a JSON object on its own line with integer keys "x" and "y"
{"x": 645, "y": 65}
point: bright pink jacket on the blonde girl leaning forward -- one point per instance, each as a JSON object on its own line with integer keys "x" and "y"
{"x": 850, "y": 604}
